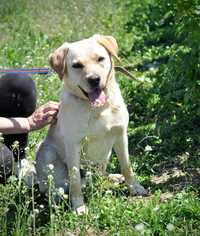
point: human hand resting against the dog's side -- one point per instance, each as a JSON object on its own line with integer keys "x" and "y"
{"x": 44, "y": 115}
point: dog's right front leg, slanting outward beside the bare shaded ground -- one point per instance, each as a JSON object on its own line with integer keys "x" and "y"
{"x": 121, "y": 149}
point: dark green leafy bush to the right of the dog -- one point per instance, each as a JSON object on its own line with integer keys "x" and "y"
{"x": 165, "y": 40}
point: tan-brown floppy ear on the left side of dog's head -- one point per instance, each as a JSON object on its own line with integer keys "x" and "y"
{"x": 57, "y": 59}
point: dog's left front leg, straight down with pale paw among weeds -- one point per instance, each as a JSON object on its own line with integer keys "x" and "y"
{"x": 72, "y": 159}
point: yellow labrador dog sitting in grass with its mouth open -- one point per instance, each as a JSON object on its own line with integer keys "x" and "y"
{"x": 92, "y": 109}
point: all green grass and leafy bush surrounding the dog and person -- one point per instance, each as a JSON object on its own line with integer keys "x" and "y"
{"x": 159, "y": 43}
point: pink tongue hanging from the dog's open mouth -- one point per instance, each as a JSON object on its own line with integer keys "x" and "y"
{"x": 97, "y": 97}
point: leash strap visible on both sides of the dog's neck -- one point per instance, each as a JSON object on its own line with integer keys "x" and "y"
{"x": 48, "y": 71}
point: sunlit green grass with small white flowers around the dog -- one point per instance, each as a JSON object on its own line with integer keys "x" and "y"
{"x": 29, "y": 31}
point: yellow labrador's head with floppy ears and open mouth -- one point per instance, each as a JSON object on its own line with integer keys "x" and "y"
{"x": 86, "y": 66}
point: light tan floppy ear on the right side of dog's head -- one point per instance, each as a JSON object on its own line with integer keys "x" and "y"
{"x": 109, "y": 43}
